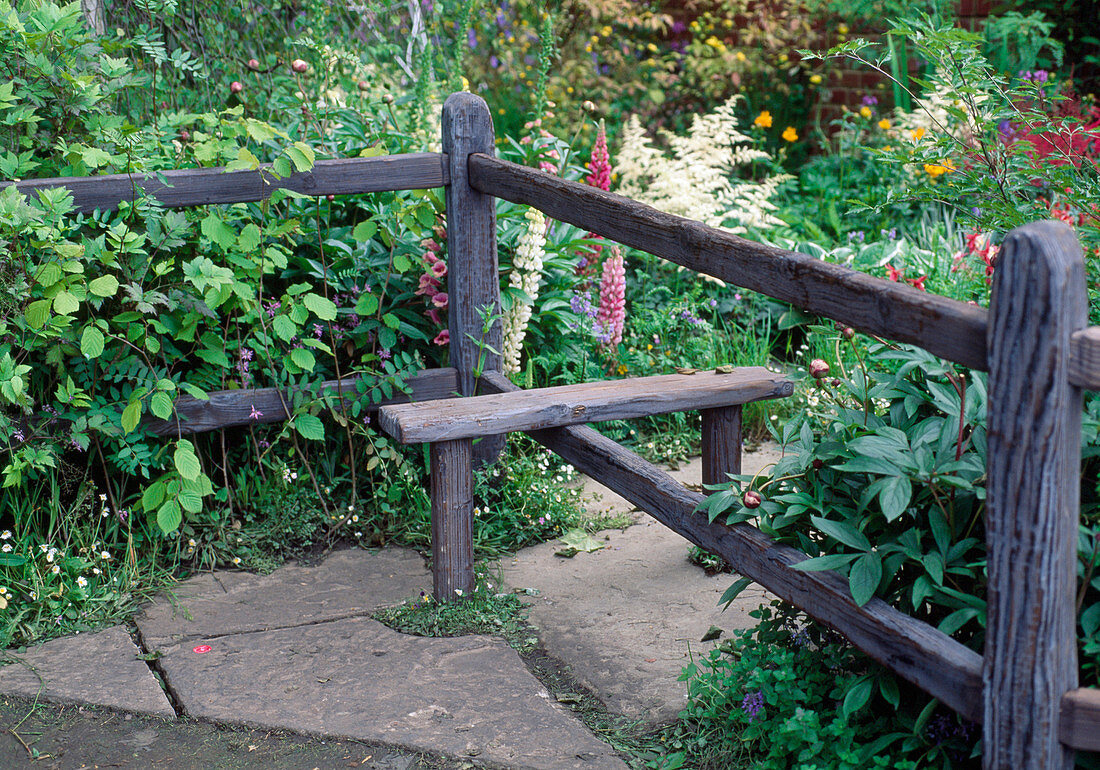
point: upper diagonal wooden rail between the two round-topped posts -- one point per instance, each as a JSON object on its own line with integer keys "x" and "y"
{"x": 944, "y": 327}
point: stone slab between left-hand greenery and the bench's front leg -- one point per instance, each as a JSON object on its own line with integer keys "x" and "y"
{"x": 347, "y": 584}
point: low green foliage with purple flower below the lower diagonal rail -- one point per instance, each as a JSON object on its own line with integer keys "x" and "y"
{"x": 789, "y": 694}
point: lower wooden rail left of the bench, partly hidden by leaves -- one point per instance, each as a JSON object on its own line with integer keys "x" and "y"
{"x": 232, "y": 409}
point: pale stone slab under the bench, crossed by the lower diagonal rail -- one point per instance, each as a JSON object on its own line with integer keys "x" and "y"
{"x": 626, "y": 620}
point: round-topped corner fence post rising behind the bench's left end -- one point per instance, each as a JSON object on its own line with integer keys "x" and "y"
{"x": 474, "y": 277}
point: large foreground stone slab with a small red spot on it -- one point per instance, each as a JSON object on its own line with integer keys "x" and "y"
{"x": 469, "y": 697}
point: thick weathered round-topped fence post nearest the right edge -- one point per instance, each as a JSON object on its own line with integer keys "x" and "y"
{"x": 1039, "y": 301}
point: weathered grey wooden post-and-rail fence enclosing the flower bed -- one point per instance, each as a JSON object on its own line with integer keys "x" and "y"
{"x": 1033, "y": 342}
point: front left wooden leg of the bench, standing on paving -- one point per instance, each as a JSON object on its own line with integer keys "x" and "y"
{"x": 453, "y": 505}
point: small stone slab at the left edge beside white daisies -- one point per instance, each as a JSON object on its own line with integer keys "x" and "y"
{"x": 101, "y": 668}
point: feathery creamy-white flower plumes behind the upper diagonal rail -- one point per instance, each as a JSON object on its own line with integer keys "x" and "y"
{"x": 697, "y": 182}
